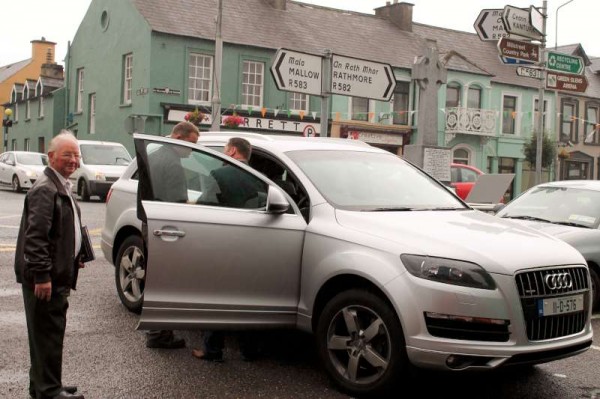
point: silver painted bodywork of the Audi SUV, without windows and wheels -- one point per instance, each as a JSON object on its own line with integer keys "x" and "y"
{"x": 231, "y": 268}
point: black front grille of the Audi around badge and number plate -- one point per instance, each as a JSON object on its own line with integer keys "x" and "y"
{"x": 533, "y": 287}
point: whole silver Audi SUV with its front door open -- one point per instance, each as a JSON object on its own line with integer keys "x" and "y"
{"x": 381, "y": 262}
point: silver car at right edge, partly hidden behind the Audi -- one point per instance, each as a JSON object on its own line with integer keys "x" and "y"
{"x": 569, "y": 210}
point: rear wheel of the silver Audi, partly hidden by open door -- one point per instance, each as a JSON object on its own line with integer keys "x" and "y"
{"x": 130, "y": 273}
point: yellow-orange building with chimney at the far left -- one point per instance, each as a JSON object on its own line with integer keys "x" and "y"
{"x": 42, "y": 52}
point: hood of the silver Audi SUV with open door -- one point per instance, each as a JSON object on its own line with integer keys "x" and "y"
{"x": 498, "y": 245}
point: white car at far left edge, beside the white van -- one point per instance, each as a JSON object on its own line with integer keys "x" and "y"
{"x": 20, "y": 169}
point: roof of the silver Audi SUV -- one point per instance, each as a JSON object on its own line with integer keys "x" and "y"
{"x": 285, "y": 143}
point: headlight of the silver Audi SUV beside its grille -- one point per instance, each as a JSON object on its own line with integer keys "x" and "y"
{"x": 448, "y": 271}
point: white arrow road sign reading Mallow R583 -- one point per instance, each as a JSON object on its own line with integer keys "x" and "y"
{"x": 297, "y": 72}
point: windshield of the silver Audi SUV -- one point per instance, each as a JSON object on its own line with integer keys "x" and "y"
{"x": 367, "y": 181}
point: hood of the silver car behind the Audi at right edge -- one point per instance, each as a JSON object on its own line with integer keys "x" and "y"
{"x": 583, "y": 239}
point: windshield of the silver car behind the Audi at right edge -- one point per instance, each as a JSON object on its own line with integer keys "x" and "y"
{"x": 561, "y": 205}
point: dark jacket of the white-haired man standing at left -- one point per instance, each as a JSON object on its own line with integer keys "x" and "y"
{"x": 46, "y": 243}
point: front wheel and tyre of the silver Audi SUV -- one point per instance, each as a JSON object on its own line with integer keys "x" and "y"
{"x": 361, "y": 344}
